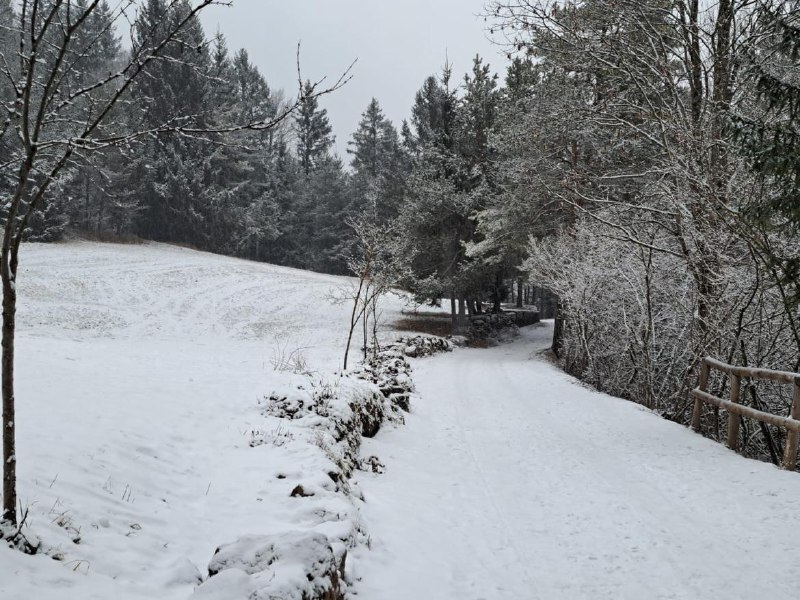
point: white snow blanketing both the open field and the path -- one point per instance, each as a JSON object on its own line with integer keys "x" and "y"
{"x": 145, "y": 444}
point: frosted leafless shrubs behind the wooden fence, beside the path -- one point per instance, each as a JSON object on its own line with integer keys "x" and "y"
{"x": 635, "y": 326}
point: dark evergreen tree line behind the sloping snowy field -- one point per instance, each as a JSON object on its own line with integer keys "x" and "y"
{"x": 279, "y": 195}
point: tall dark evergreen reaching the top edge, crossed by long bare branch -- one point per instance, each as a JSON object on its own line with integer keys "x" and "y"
{"x": 167, "y": 170}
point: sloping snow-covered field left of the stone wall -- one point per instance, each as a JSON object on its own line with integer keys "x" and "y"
{"x": 139, "y": 373}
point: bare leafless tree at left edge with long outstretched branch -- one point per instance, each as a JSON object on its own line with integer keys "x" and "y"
{"x": 48, "y": 121}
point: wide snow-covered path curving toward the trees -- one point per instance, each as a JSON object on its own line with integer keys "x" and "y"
{"x": 510, "y": 480}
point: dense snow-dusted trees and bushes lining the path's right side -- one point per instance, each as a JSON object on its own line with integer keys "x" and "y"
{"x": 648, "y": 172}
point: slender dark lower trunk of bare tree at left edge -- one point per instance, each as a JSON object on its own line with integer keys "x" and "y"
{"x": 9, "y": 419}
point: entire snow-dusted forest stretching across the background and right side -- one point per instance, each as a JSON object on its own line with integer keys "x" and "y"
{"x": 638, "y": 161}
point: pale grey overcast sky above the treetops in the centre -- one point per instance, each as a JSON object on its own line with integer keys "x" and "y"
{"x": 397, "y": 43}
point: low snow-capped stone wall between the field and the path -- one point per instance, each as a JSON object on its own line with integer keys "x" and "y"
{"x": 328, "y": 417}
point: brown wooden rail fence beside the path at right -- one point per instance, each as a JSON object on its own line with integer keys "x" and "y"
{"x": 736, "y": 410}
